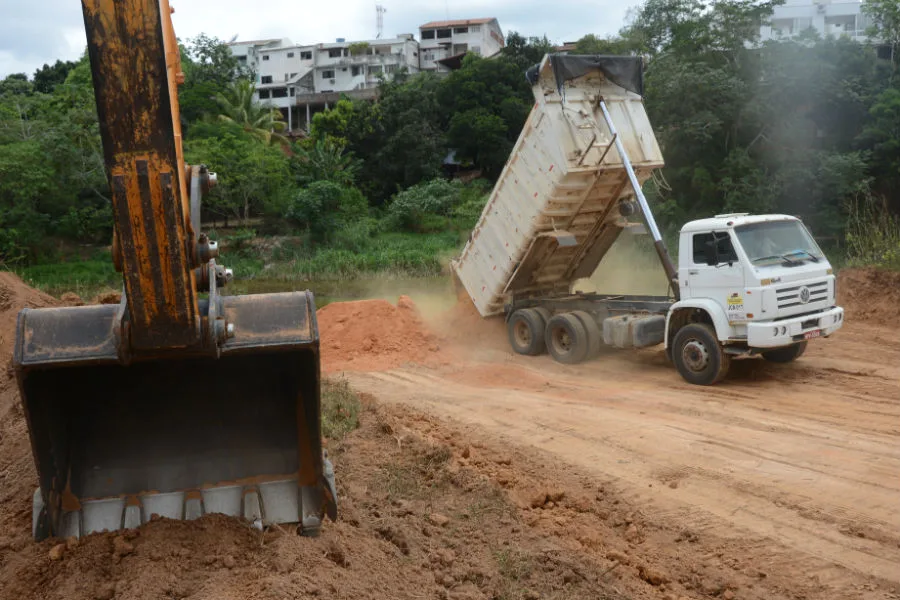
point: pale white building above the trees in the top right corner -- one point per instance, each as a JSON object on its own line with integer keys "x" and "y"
{"x": 828, "y": 17}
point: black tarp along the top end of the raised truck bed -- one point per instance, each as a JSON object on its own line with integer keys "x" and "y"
{"x": 624, "y": 71}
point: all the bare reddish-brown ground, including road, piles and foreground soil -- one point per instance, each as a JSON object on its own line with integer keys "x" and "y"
{"x": 477, "y": 474}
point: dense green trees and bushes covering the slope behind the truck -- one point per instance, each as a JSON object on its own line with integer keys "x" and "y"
{"x": 809, "y": 127}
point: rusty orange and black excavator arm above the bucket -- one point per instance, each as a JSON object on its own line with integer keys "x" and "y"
{"x": 135, "y": 63}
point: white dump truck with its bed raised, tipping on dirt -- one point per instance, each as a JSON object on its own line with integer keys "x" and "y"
{"x": 745, "y": 284}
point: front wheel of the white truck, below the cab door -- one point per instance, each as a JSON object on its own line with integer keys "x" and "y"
{"x": 698, "y": 356}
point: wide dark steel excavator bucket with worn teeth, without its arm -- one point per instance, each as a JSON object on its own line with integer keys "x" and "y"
{"x": 118, "y": 440}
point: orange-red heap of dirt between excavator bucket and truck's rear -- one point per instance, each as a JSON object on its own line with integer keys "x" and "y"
{"x": 370, "y": 335}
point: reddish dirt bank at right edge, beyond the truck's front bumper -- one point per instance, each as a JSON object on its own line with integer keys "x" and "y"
{"x": 870, "y": 294}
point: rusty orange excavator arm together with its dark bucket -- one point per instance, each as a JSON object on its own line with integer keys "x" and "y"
{"x": 180, "y": 400}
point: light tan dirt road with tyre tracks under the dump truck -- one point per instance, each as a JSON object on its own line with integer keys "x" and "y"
{"x": 794, "y": 469}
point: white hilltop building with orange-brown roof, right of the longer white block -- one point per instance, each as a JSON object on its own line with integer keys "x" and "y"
{"x": 443, "y": 43}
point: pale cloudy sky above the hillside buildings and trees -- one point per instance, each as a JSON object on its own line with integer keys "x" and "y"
{"x": 36, "y": 32}
